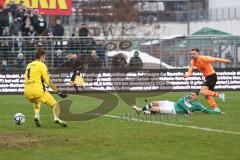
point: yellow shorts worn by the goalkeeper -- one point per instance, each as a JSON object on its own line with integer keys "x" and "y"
{"x": 45, "y": 98}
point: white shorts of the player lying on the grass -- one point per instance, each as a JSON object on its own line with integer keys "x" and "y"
{"x": 167, "y": 107}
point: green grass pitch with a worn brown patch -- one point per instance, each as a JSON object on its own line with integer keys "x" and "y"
{"x": 106, "y": 138}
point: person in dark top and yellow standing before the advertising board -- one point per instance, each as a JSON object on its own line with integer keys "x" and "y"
{"x": 77, "y": 80}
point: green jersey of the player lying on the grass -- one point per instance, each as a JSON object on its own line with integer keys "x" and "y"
{"x": 184, "y": 104}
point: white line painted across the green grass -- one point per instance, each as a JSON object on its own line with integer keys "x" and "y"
{"x": 178, "y": 125}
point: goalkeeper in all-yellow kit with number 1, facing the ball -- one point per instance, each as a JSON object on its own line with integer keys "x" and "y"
{"x": 36, "y": 77}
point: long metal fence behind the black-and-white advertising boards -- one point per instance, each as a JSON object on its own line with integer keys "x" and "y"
{"x": 16, "y": 52}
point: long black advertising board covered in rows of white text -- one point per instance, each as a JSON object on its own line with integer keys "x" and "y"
{"x": 138, "y": 81}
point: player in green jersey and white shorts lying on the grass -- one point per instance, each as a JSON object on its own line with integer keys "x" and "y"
{"x": 185, "y": 105}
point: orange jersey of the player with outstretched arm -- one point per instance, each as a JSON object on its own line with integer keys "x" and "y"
{"x": 203, "y": 64}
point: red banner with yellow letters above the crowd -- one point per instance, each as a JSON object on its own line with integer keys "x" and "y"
{"x": 47, "y": 7}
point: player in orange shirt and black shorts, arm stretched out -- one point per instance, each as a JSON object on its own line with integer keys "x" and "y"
{"x": 203, "y": 64}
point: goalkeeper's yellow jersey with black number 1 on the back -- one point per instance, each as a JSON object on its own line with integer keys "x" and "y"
{"x": 36, "y": 76}
